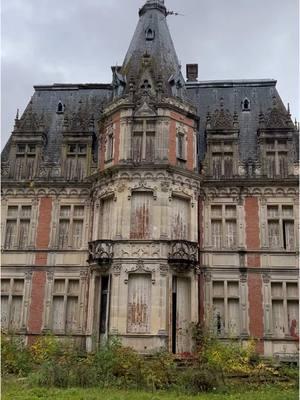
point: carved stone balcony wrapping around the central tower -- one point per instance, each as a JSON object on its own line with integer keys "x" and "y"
{"x": 177, "y": 252}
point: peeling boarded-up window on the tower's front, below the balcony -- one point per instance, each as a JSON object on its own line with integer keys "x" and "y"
{"x": 139, "y": 303}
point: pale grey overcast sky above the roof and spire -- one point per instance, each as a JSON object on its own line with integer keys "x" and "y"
{"x": 77, "y": 41}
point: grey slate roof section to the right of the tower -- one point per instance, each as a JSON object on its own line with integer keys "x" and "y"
{"x": 262, "y": 95}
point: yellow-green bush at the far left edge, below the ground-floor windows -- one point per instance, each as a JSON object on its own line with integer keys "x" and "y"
{"x": 15, "y": 356}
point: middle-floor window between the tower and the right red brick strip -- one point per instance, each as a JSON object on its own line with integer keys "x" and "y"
{"x": 223, "y": 226}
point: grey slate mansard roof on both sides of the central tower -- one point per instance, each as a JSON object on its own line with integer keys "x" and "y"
{"x": 87, "y": 100}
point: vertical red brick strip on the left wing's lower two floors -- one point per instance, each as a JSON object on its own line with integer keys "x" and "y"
{"x": 36, "y": 309}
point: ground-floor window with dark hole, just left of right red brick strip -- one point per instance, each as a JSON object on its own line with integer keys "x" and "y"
{"x": 226, "y": 308}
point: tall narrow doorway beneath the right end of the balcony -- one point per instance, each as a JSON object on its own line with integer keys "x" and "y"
{"x": 181, "y": 315}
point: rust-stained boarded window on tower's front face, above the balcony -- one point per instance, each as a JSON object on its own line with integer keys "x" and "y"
{"x": 141, "y": 215}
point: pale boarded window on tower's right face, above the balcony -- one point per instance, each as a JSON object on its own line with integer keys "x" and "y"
{"x": 180, "y": 218}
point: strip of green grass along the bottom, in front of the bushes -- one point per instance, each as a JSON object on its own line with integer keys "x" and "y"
{"x": 13, "y": 389}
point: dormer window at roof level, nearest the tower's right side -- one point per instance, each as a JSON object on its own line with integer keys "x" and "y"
{"x": 222, "y": 161}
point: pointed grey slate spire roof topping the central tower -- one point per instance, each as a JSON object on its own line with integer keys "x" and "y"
{"x": 151, "y": 59}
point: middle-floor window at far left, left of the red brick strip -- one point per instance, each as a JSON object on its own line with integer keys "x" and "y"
{"x": 17, "y": 231}
